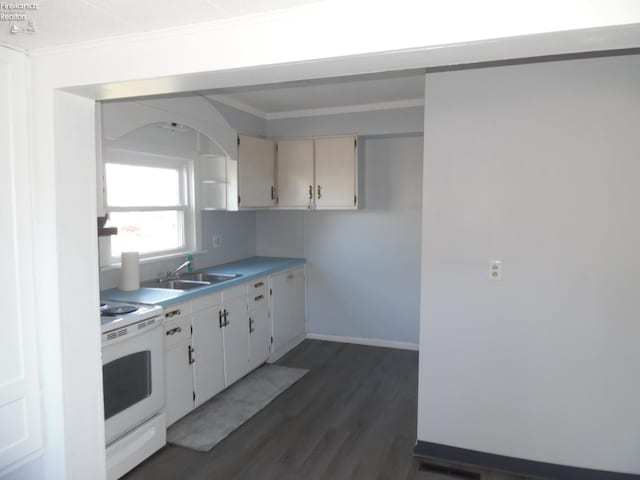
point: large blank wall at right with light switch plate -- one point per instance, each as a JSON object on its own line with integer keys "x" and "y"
{"x": 537, "y": 166}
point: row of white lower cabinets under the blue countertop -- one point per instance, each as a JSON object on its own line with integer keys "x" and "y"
{"x": 214, "y": 340}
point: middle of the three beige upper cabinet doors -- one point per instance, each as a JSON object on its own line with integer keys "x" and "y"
{"x": 295, "y": 173}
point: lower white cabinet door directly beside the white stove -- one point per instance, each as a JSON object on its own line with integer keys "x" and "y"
{"x": 178, "y": 382}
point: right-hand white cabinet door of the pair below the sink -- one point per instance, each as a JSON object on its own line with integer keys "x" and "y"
{"x": 236, "y": 339}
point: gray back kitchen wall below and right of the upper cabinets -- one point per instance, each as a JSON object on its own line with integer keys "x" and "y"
{"x": 363, "y": 266}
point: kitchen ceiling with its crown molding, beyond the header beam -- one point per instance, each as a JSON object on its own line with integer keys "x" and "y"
{"x": 296, "y": 99}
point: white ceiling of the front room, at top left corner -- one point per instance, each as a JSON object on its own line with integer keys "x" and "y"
{"x": 60, "y": 22}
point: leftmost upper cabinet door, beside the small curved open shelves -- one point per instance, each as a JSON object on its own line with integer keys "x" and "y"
{"x": 256, "y": 172}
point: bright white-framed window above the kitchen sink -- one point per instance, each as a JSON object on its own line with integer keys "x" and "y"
{"x": 149, "y": 199}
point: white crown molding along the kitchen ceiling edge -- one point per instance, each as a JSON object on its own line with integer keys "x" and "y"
{"x": 313, "y": 112}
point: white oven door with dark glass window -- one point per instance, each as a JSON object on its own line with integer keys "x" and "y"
{"x": 133, "y": 380}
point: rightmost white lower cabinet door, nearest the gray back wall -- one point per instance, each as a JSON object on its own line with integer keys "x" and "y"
{"x": 288, "y": 310}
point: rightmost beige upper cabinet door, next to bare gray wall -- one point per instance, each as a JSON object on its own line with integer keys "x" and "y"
{"x": 336, "y": 166}
